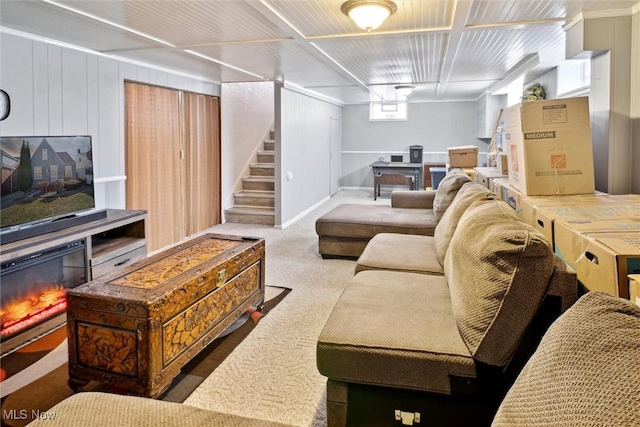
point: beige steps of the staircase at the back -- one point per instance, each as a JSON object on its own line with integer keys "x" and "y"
{"x": 255, "y": 204}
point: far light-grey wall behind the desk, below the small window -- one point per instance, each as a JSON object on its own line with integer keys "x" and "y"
{"x": 434, "y": 125}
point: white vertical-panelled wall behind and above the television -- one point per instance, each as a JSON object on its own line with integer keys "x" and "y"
{"x": 61, "y": 91}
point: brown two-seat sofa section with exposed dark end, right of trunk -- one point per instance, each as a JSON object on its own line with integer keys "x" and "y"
{"x": 441, "y": 325}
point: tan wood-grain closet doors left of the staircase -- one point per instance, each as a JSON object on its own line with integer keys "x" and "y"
{"x": 172, "y": 144}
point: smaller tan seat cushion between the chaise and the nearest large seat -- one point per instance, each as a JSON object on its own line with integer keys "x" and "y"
{"x": 400, "y": 252}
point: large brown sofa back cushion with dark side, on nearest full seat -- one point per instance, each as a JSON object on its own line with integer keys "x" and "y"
{"x": 498, "y": 270}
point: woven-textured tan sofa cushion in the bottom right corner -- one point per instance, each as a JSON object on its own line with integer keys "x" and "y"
{"x": 584, "y": 372}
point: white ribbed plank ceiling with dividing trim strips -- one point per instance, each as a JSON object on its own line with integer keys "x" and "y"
{"x": 449, "y": 49}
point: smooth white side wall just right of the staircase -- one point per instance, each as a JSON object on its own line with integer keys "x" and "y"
{"x": 303, "y": 152}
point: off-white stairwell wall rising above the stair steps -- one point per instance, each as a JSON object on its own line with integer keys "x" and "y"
{"x": 247, "y": 112}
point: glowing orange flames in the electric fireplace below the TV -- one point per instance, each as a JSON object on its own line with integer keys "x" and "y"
{"x": 39, "y": 305}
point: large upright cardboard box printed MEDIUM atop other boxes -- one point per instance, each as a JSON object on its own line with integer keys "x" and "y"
{"x": 549, "y": 147}
